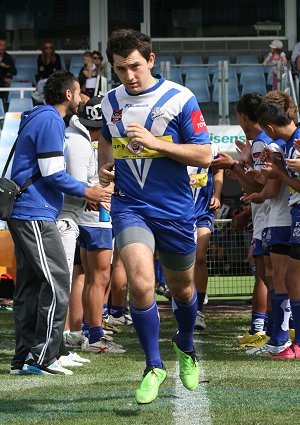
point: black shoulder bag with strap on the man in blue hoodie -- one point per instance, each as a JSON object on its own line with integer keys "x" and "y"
{"x": 9, "y": 190}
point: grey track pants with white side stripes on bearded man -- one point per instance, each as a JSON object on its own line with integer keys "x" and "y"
{"x": 42, "y": 290}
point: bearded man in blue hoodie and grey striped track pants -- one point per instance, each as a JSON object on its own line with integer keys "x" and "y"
{"x": 43, "y": 282}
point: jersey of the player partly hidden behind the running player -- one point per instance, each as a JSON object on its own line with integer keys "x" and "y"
{"x": 203, "y": 189}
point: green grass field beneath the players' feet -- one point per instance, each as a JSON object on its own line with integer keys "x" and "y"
{"x": 235, "y": 388}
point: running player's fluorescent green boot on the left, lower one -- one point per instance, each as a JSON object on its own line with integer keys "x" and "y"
{"x": 152, "y": 379}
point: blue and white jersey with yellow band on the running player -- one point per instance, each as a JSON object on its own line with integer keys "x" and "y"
{"x": 147, "y": 182}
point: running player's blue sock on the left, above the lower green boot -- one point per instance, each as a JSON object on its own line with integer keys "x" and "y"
{"x": 146, "y": 324}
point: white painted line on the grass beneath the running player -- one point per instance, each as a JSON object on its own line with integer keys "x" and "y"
{"x": 191, "y": 407}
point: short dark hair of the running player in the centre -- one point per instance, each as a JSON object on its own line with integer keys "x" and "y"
{"x": 124, "y": 41}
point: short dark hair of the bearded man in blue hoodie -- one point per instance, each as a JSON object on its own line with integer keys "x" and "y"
{"x": 56, "y": 86}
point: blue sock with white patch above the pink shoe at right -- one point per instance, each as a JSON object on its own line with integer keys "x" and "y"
{"x": 281, "y": 315}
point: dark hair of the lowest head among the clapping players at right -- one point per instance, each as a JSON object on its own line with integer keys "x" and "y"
{"x": 272, "y": 113}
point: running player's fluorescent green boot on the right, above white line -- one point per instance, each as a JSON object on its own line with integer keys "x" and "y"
{"x": 188, "y": 367}
